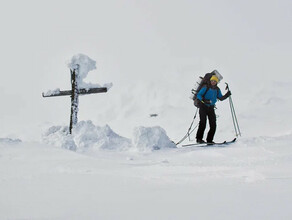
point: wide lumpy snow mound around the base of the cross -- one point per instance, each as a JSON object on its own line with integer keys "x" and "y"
{"x": 86, "y": 137}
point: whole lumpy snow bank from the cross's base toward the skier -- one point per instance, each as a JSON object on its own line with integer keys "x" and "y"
{"x": 89, "y": 137}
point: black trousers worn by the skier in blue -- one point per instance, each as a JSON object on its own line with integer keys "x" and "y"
{"x": 205, "y": 112}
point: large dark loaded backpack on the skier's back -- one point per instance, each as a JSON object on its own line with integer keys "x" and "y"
{"x": 203, "y": 81}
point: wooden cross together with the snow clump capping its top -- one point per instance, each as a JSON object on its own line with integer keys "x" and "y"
{"x": 79, "y": 66}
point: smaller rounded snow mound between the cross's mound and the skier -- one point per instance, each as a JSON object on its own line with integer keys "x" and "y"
{"x": 151, "y": 138}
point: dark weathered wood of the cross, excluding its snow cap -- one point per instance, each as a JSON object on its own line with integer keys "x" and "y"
{"x": 74, "y": 93}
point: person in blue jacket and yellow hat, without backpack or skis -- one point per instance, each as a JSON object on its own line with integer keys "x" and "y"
{"x": 208, "y": 96}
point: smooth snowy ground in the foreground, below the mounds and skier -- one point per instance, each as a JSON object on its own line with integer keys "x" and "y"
{"x": 250, "y": 179}
